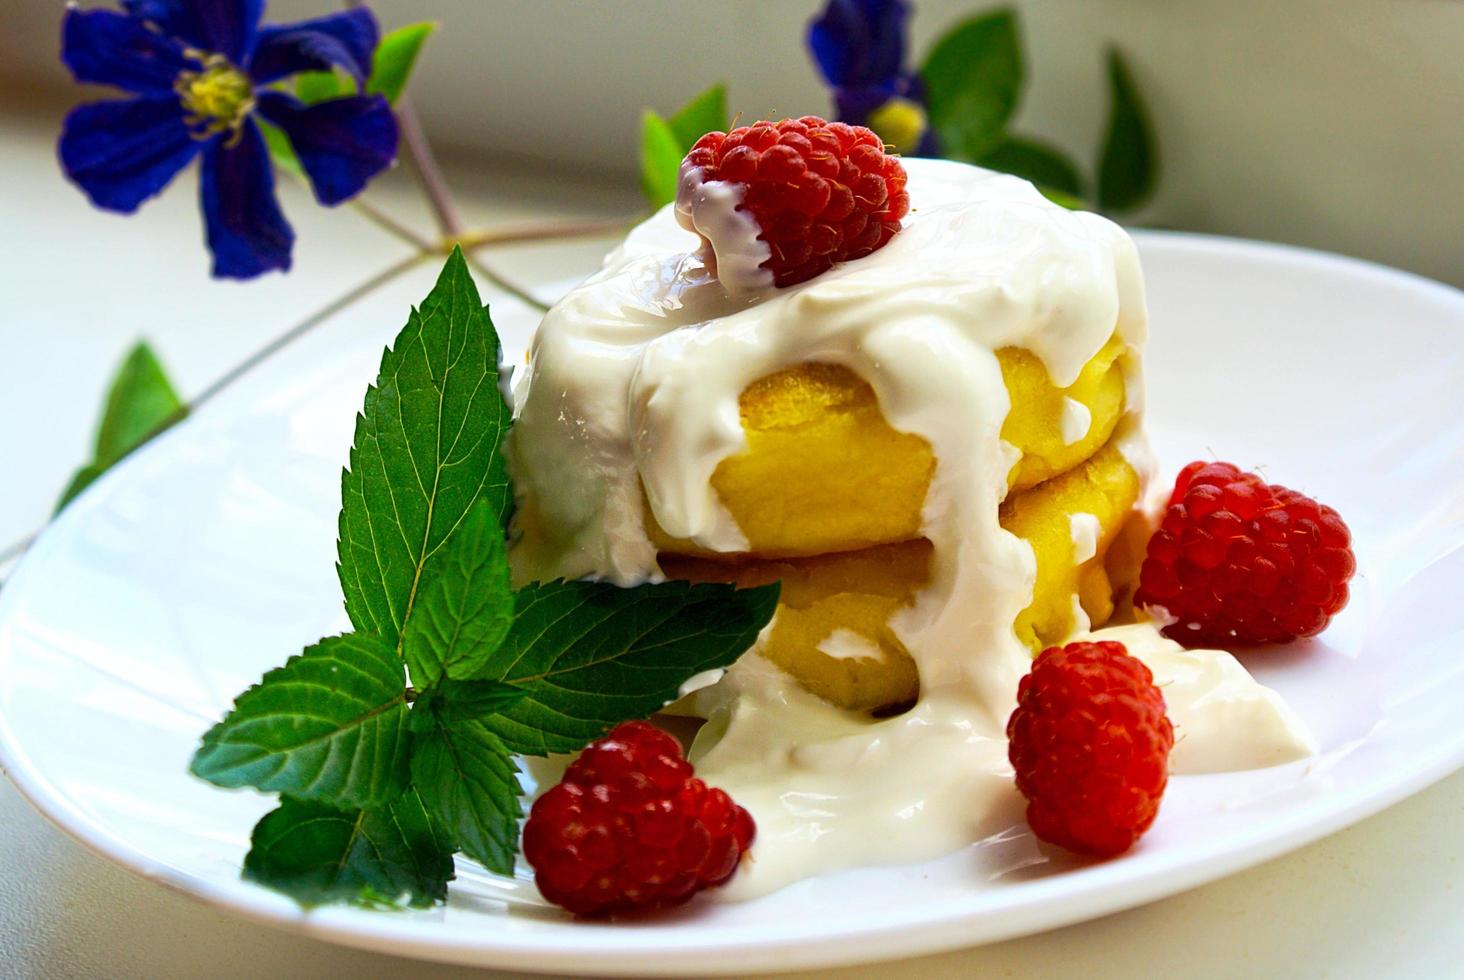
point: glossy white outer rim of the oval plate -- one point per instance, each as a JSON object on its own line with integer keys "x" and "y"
{"x": 1027, "y": 907}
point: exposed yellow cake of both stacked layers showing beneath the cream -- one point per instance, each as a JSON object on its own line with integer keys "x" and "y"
{"x": 831, "y": 500}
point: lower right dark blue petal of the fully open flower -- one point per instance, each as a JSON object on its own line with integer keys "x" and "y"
{"x": 342, "y": 143}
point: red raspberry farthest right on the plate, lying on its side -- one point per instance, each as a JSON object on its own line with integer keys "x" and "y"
{"x": 1239, "y": 562}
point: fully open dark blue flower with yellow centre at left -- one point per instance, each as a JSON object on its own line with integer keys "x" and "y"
{"x": 200, "y": 71}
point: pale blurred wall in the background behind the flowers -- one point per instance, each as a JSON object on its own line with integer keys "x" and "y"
{"x": 1334, "y": 124}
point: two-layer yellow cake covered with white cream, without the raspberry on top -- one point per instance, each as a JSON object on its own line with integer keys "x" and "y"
{"x": 941, "y": 436}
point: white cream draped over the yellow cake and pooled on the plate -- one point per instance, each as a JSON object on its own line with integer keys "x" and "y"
{"x": 635, "y": 383}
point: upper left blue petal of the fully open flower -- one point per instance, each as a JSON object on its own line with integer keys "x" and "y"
{"x": 112, "y": 49}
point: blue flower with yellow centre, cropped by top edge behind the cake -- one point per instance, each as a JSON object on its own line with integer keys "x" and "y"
{"x": 860, "y": 49}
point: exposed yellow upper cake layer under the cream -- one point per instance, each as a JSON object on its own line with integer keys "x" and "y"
{"x": 823, "y": 472}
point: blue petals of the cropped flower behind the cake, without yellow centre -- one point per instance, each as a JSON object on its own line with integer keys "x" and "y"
{"x": 860, "y": 43}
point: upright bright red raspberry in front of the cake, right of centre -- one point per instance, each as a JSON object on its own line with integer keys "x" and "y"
{"x": 1091, "y": 746}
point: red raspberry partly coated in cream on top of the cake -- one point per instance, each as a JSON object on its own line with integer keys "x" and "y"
{"x": 822, "y": 193}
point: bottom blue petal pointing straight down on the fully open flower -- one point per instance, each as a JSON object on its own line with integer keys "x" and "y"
{"x": 247, "y": 232}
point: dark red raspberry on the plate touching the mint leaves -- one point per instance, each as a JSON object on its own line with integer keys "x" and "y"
{"x": 630, "y": 828}
